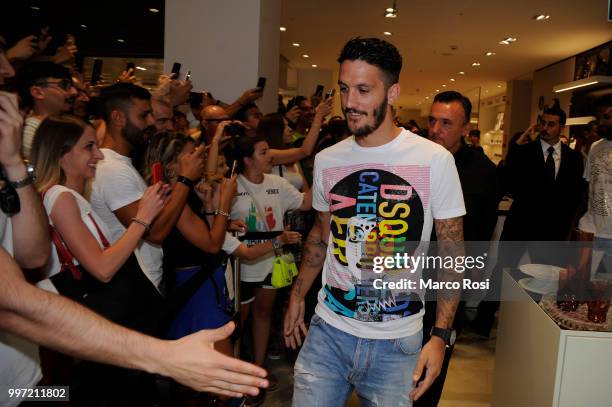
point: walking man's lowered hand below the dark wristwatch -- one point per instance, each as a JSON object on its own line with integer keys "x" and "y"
{"x": 430, "y": 358}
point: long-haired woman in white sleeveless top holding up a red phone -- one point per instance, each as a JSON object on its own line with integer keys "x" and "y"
{"x": 65, "y": 153}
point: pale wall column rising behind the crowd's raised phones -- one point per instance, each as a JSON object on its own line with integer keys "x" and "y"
{"x": 219, "y": 41}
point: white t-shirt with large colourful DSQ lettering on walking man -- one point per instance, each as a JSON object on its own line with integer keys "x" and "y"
{"x": 380, "y": 198}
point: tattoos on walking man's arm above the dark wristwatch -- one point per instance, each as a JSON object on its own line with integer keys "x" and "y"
{"x": 450, "y": 243}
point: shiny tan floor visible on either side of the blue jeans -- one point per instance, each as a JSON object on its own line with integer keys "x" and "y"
{"x": 469, "y": 381}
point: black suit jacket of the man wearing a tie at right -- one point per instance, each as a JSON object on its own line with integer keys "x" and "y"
{"x": 543, "y": 210}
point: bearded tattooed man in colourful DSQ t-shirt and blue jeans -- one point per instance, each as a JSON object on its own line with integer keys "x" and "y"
{"x": 383, "y": 187}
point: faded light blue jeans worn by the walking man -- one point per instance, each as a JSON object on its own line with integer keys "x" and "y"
{"x": 332, "y": 363}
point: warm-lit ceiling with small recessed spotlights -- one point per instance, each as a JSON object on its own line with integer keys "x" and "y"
{"x": 424, "y": 32}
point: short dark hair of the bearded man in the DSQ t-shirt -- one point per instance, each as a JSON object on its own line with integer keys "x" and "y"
{"x": 377, "y": 52}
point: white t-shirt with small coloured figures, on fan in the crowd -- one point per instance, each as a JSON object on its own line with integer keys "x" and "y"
{"x": 275, "y": 196}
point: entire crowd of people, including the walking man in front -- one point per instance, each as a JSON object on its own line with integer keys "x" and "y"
{"x": 119, "y": 228}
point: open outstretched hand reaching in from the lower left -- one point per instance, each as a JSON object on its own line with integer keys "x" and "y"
{"x": 194, "y": 362}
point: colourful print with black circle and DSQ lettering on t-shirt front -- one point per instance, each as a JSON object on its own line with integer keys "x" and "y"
{"x": 375, "y": 211}
